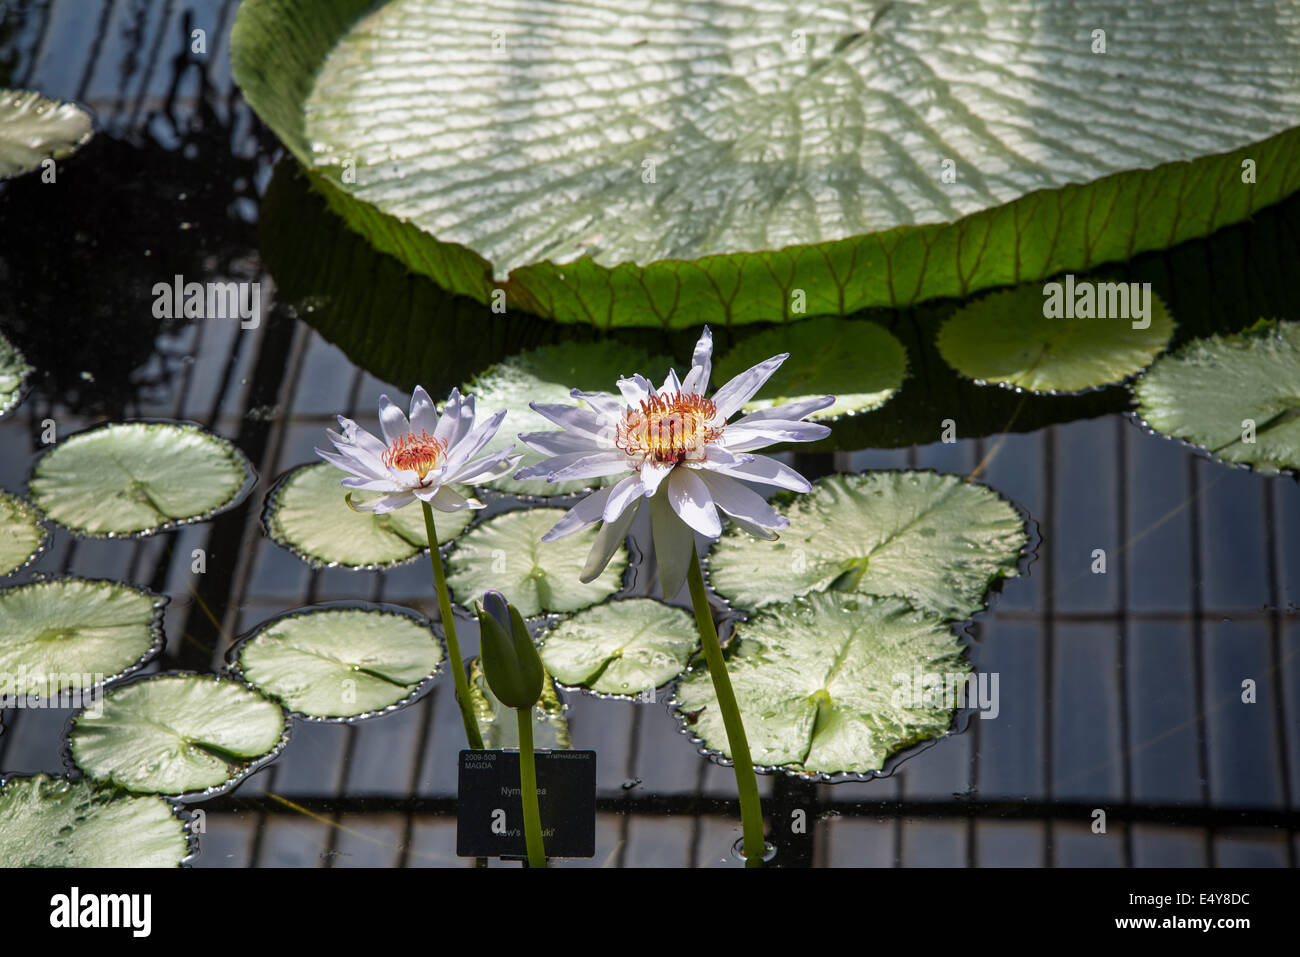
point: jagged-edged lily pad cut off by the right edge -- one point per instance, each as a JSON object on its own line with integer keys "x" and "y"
{"x": 1234, "y": 396}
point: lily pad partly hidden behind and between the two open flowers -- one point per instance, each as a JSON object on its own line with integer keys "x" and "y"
{"x": 548, "y": 375}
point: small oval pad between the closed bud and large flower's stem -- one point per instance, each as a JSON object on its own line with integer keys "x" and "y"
{"x": 621, "y": 648}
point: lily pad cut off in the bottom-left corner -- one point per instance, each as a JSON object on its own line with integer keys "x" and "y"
{"x": 54, "y": 822}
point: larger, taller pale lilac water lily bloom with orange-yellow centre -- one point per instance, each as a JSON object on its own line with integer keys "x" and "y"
{"x": 683, "y": 456}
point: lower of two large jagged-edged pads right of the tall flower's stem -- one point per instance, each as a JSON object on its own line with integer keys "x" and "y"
{"x": 829, "y": 685}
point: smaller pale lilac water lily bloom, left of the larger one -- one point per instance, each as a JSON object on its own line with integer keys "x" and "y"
{"x": 422, "y": 457}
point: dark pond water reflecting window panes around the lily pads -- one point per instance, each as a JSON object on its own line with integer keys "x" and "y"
{"x": 1117, "y": 691}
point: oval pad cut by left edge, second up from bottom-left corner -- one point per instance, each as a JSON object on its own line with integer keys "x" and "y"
{"x": 76, "y": 634}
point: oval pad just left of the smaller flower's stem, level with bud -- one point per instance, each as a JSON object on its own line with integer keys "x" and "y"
{"x": 341, "y": 662}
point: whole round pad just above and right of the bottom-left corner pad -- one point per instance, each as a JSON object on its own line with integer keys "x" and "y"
{"x": 177, "y": 734}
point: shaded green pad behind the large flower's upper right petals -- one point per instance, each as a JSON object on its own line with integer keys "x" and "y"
{"x": 857, "y": 362}
